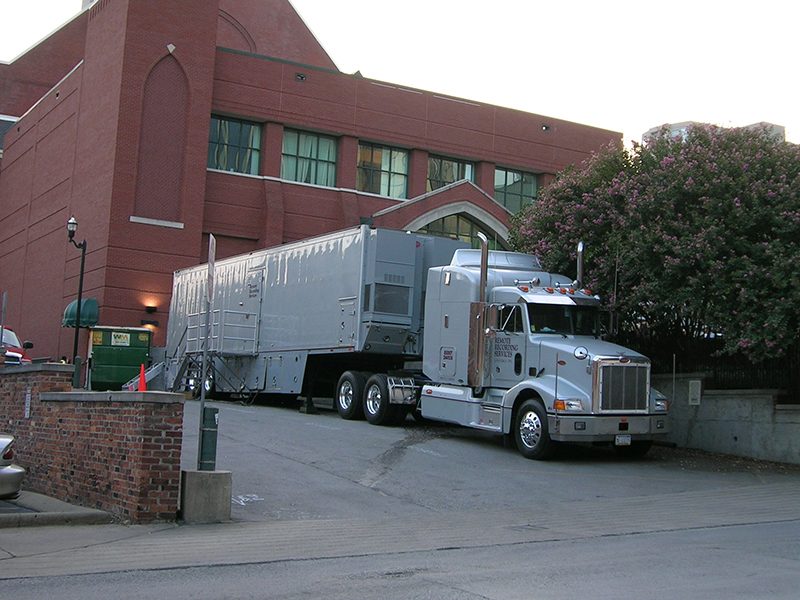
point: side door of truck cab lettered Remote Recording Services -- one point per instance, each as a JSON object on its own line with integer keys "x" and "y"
{"x": 507, "y": 353}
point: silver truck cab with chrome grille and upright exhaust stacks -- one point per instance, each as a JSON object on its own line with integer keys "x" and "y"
{"x": 529, "y": 360}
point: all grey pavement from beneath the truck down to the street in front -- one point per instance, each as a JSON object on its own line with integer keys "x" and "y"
{"x": 326, "y": 508}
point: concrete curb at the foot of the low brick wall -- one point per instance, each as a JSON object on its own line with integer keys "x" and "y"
{"x": 48, "y": 511}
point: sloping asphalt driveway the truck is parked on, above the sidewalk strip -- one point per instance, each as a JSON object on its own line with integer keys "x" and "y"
{"x": 289, "y": 465}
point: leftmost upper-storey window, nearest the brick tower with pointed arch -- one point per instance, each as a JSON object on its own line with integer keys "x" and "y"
{"x": 234, "y": 145}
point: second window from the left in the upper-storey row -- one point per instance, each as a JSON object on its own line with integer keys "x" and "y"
{"x": 309, "y": 158}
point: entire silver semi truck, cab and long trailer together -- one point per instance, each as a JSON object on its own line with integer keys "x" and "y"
{"x": 392, "y": 322}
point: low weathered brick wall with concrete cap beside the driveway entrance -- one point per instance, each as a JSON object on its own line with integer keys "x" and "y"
{"x": 116, "y": 451}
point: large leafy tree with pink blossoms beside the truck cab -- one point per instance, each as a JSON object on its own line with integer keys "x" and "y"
{"x": 688, "y": 237}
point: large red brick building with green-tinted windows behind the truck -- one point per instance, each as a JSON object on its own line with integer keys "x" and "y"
{"x": 158, "y": 122}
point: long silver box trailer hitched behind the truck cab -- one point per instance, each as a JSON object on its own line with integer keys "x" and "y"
{"x": 292, "y": 319}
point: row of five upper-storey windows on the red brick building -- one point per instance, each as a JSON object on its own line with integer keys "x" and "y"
{"x": 234, "y": 145}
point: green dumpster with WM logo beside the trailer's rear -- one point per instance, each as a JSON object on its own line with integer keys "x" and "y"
{"x": 117, "y": 355}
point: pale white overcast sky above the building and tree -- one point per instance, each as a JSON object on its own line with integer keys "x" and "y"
{"x": 622, "y": 65}
